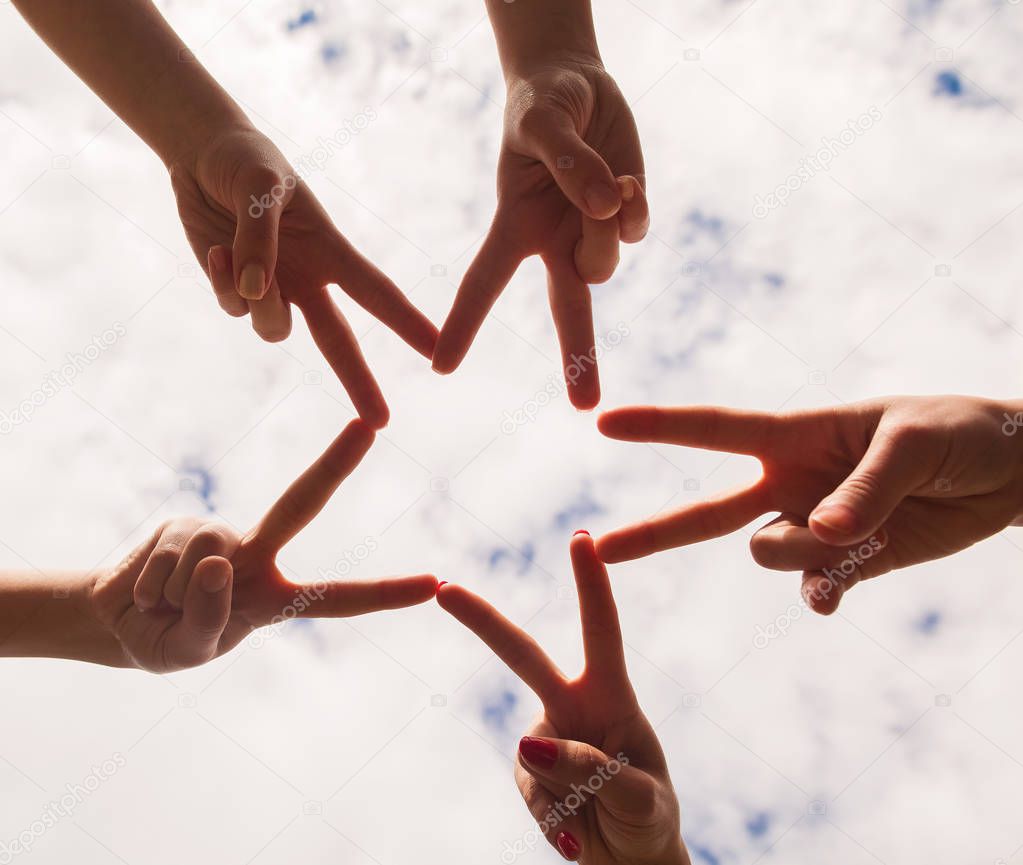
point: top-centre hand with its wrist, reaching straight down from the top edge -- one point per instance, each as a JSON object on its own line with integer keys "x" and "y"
{"x": 570, "y": 184}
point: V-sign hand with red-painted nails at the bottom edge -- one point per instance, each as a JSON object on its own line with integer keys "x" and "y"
{"x": 592, "y": 734}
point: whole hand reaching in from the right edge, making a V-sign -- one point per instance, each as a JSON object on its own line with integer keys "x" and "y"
{"x": 864, "y": 489}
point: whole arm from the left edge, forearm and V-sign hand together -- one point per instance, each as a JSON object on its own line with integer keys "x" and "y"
{"x": 196, "y": 589}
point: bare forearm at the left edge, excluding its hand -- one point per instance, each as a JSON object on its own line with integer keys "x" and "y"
{"x": 49, "y": 615}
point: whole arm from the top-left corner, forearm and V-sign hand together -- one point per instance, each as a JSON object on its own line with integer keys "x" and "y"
{"x": 260, "y": 235}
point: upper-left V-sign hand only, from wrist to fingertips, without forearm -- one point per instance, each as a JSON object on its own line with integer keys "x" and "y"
{"x": 266, "y": 243}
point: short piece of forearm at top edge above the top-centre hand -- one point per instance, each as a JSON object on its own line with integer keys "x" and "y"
{"x": 532, "y": 32}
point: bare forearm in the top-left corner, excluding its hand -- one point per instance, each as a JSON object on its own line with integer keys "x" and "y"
{"x": 128, "y": 55}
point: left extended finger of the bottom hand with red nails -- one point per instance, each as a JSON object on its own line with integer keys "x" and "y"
{"x": 513, "y": 646}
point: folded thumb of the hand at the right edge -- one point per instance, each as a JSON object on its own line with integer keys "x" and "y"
{"x": 894, "y": 468}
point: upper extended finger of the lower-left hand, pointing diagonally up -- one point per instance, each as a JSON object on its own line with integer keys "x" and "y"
{"x": 307, "y": 496}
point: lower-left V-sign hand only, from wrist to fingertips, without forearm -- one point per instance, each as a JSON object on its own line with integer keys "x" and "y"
{"x": 196, "y": 589}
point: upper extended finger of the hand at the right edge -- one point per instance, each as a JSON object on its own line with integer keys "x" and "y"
{"x": 710, "y": 428}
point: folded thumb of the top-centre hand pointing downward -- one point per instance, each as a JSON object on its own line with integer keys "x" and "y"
{"x": 579, "y": 170}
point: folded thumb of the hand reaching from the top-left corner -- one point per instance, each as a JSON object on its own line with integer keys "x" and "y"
{"x": 258, "y": 209}
